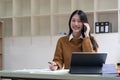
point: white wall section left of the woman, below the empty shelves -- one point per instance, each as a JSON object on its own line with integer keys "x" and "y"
{"x": 27, "y": 52}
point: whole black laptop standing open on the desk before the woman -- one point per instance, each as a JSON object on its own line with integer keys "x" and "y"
{"x": 87, "y": 62}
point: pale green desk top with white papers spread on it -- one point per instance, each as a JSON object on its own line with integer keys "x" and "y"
{"x": 62, "y": 74}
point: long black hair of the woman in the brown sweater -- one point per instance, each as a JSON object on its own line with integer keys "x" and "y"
{"x": 83, "y": 18}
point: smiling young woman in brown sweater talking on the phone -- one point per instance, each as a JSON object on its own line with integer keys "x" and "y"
{"x": 78, "y": 40}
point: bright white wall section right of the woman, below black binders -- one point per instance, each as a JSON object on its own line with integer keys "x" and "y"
{"x": 109, "y": 43}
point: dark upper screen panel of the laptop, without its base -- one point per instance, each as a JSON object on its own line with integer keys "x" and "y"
{"x": 88, "y": 59}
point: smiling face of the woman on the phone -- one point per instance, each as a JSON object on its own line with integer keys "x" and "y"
{"x": 76, "y": 24}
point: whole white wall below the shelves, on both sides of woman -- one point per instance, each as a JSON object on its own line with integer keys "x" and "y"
{"x": 35, "y": 52}
